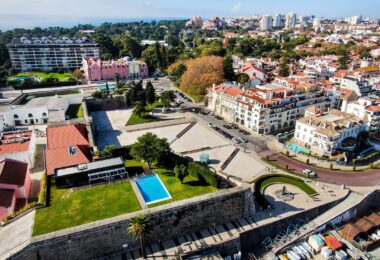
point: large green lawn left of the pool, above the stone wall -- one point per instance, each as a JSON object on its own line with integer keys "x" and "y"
{"x": 69, "y": 209}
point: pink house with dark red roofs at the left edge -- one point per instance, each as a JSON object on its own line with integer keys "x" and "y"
{"x": 15, "y": 185}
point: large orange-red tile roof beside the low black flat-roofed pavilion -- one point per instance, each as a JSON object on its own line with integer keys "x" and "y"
{"x": 59, "y": 140}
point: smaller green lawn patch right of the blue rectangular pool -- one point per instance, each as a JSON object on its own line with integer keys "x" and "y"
{"x": 180, "y": 191}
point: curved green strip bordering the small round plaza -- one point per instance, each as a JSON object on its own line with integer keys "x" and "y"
{"x": 265, "y": 180}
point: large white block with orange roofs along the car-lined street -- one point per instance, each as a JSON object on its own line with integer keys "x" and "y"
{"x": 270, "y": 108}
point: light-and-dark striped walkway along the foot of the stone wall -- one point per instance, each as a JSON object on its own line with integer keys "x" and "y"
{"x": 192, "y": 241}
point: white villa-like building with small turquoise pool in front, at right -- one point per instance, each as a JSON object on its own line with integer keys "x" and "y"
{"x": 326, "y": 133}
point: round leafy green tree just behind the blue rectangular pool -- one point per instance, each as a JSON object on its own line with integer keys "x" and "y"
{"x": 150, "y": 148}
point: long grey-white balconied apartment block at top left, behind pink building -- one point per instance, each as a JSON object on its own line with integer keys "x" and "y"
{"x": 48, "y": 53}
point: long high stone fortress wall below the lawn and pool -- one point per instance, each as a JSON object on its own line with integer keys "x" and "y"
{"x": 105, "y": 237}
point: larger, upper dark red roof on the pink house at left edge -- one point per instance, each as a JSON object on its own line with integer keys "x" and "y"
{"x": 13, "y": 172}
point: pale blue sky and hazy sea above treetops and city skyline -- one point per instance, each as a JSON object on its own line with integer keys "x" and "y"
{"x": 31, "y": 13}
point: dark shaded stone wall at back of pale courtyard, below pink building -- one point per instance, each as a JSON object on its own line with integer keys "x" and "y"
{"x": 116, "y": 102}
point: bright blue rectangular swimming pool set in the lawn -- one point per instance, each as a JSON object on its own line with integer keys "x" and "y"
{"x": 152, "y": 189}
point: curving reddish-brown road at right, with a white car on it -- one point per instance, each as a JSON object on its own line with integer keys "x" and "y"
{"x": 359, "y": 179}
